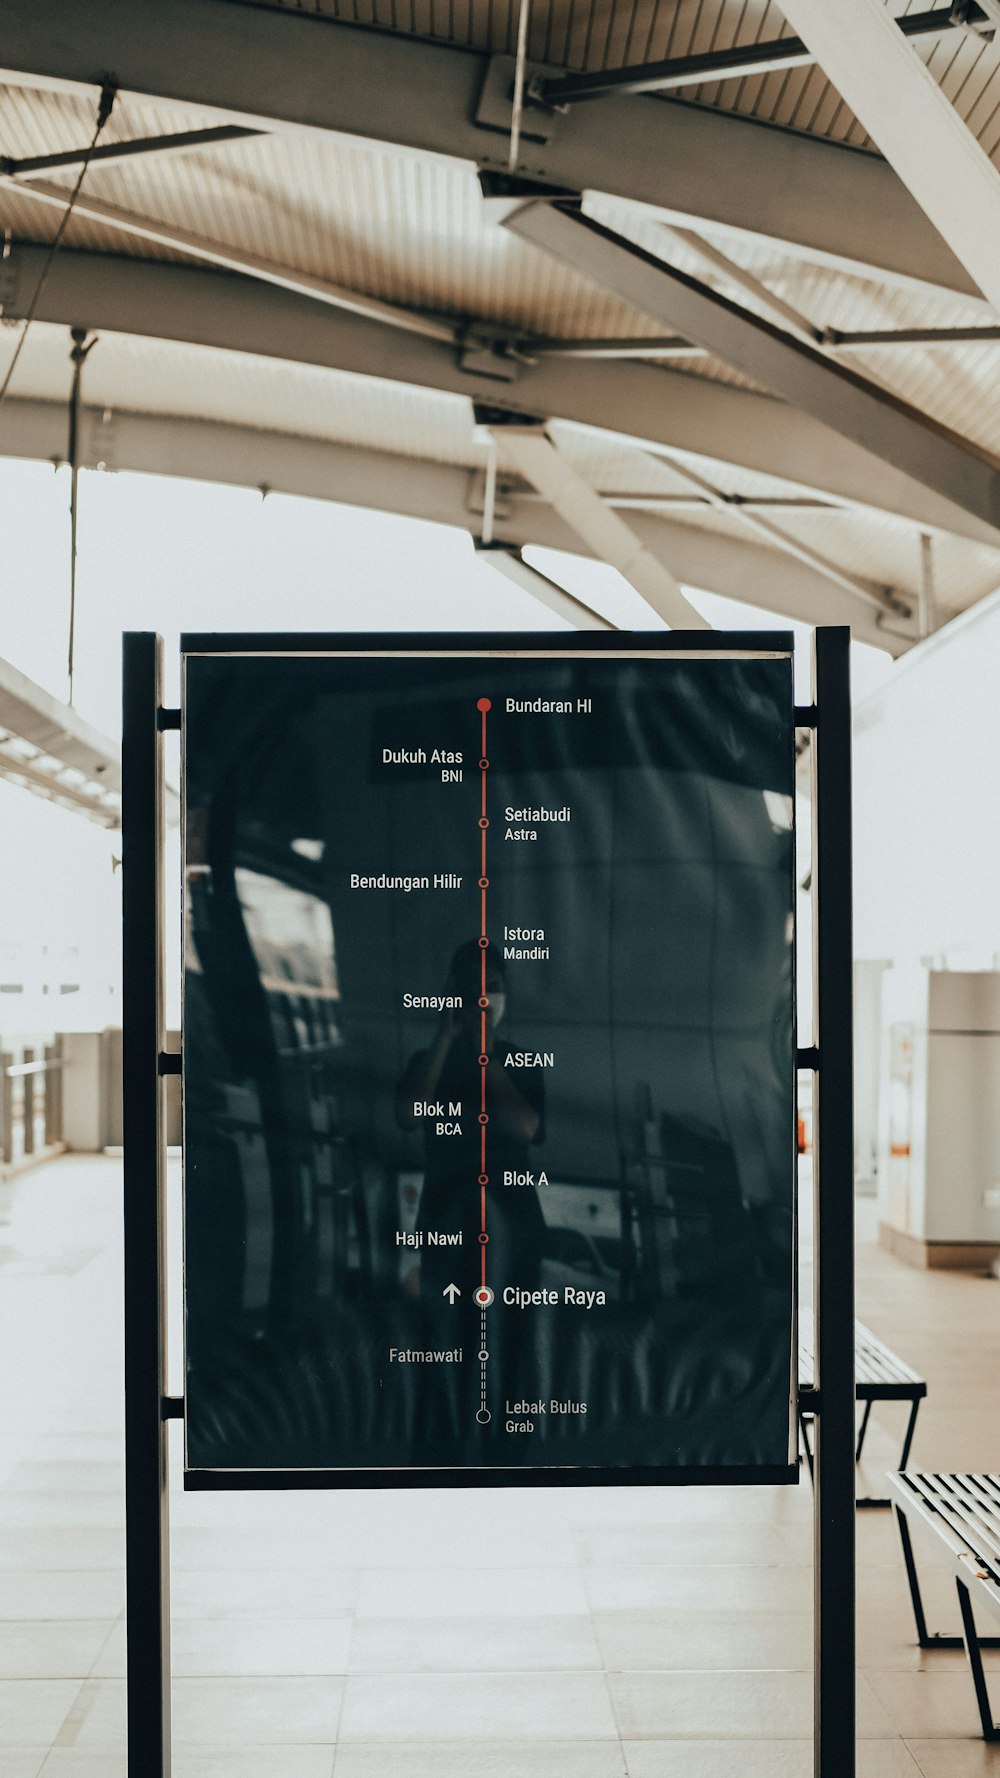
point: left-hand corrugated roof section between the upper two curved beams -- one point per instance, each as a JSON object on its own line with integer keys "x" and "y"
{"x": 398, "y": 227}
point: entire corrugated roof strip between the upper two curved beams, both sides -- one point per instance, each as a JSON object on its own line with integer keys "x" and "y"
{"x": 412, "y": 230}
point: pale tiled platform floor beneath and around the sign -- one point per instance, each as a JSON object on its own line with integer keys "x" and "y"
{"x": 554, "y": 1635}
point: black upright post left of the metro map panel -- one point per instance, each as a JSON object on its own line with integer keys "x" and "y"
{"x": 147, "y": 1502}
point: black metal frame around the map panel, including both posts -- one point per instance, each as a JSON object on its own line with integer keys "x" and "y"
{"x": 147, "y": 1062}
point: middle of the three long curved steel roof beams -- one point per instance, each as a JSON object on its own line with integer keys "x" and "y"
{"x": 200, "y": 307}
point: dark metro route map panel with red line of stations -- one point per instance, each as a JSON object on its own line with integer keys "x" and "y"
{"x": 490, "y": 1059}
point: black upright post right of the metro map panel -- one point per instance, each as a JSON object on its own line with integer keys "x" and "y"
{"x": 834, "y": 1190}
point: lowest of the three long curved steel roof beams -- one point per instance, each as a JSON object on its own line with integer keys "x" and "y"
{"x": 391, "y": 483}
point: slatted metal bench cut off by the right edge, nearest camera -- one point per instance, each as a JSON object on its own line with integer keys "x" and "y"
{"x": 964, "y": 1516}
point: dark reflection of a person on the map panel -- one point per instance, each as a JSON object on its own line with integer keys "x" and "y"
{"x": 449, "y": 1071}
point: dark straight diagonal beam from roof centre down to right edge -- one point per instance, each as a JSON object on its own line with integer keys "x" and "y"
{"x": 866, "y": 413}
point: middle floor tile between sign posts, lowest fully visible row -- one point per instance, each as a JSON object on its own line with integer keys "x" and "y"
{"x": 472, "y": 1708}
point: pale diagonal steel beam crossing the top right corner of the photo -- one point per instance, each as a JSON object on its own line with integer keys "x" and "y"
{"x": 910, "y": 116}
